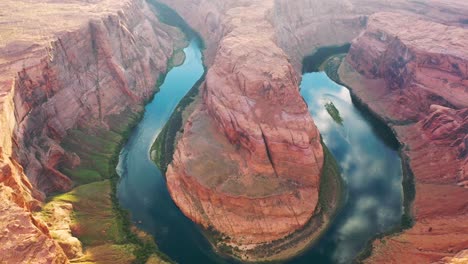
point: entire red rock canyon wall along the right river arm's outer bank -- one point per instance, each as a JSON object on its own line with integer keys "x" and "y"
{"x": 415, "y": 78}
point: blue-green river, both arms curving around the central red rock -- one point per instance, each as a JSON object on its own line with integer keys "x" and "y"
{"x": 370, "y": 165}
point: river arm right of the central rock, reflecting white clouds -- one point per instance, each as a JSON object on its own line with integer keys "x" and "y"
{"x": 371, "y": 169}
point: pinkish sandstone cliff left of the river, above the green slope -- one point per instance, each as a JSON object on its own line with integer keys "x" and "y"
{"x": 88, "y": 64}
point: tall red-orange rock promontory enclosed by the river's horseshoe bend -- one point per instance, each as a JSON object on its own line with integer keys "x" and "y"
{"x": 252, "y": 143}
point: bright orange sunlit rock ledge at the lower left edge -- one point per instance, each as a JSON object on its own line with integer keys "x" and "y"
{"x": 21, "y": 232}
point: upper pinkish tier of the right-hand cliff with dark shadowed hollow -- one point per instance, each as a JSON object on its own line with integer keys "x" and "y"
{"x": 413, "y": 64}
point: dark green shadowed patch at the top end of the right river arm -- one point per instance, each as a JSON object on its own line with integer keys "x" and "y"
{"x": 313, "y": 62}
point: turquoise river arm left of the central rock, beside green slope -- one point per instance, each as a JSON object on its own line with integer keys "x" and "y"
{"x": 142, "y": 187}
